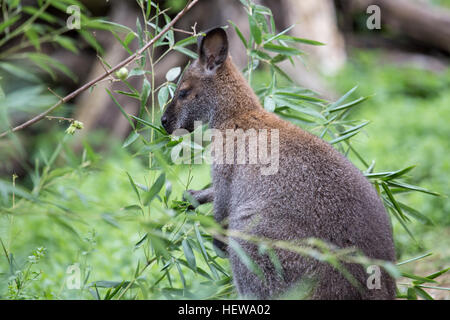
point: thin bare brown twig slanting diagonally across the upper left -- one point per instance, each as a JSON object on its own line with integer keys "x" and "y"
{"x": 103, "y": 76}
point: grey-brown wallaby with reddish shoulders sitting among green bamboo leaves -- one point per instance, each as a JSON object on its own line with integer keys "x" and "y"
{"x": 316, "y": 192}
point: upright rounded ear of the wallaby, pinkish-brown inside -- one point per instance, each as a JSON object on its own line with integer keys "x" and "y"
{"x": 213, "y": 49}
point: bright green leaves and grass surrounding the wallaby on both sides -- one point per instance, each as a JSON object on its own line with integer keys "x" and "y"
{"x": 118, "y": 215}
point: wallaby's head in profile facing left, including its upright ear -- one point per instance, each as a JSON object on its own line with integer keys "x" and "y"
{"x": 200, "y": 84}
